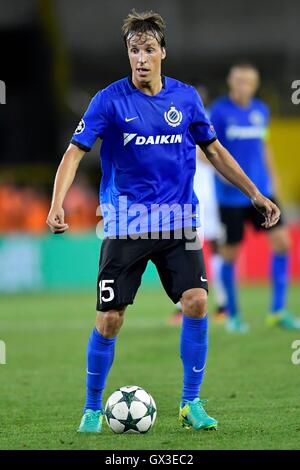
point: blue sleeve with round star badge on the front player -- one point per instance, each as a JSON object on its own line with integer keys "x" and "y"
{"x": 92, "y": 125}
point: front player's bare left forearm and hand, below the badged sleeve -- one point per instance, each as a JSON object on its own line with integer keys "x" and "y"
{"x": 64, "y": 178}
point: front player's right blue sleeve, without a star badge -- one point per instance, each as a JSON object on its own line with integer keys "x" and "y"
{"x": 201, "y": 128}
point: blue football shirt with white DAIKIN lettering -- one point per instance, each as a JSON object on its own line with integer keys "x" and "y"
{"x": 148, "y": 154}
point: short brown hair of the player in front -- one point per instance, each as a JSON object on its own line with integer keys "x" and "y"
{"x": 144, "y": 22}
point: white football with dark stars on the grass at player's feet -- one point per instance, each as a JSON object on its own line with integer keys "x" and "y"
{"x": 130, "y": 409}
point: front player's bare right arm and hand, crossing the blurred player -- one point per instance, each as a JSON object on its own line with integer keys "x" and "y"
{"x": 228, "y": 167}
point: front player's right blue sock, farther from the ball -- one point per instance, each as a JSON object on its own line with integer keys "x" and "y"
{"x": 193, "y": 352}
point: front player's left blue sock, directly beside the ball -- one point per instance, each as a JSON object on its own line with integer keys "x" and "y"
{"x": 100, "y": 355}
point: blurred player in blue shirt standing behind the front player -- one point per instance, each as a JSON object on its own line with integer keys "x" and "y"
{"x": 241, "y": 122}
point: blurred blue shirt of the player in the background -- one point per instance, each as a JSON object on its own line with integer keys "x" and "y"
{"x": 242, "y": 131}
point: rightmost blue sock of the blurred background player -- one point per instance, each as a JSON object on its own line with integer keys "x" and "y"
{"x": 280, "y": 281}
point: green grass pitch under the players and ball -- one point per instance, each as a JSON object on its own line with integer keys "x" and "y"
{"x": 252, "y": 385}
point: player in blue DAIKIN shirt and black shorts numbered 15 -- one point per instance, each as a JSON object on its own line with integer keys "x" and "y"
{"x": 150, "y": 126}
